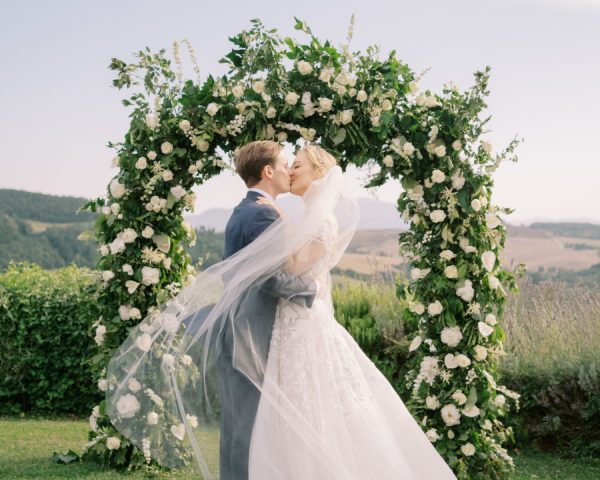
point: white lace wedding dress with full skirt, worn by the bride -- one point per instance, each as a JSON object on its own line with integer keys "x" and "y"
{"x": 345, "y": 420}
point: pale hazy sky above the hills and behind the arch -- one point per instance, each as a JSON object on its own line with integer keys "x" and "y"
{"x": 59, "y": 110}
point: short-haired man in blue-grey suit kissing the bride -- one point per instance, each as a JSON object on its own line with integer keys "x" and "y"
{"x": 264, "y": 168}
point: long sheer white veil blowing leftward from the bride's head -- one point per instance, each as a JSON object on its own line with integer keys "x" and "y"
{"x": 163, "y": 379}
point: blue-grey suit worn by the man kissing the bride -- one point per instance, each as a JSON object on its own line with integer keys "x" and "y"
{"x": 238, "y": 395}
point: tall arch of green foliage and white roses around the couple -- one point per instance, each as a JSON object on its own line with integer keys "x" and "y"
{"x": 365, "y": 111}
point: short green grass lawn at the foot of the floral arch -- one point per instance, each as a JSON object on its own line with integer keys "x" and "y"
{"x": 27, "y": 445}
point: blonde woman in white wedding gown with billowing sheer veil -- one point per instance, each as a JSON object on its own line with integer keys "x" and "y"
{"x": 325, "y": 411}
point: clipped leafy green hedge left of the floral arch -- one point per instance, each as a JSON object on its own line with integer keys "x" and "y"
{"x": 46, "y": 340}
